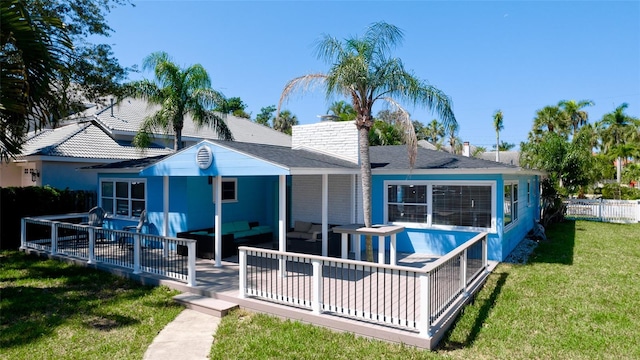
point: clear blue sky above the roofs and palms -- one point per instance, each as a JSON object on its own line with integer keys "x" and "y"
{"x": 512, "y": 55}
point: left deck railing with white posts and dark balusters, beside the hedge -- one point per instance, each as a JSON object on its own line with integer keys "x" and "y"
{"x": 62, "y": 234}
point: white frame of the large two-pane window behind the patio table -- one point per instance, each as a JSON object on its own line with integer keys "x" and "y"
{"x": 430, "y": 184}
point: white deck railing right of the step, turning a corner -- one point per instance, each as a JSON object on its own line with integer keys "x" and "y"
{"x": 419, "y": 299}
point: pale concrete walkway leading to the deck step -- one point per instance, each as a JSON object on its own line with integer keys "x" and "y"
{"x": 188, "y": 337}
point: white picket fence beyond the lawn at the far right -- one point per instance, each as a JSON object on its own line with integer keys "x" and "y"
{"x": 621, "y": 211}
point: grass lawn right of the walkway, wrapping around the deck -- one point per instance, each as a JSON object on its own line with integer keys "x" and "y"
{"x": 577, "y": 298}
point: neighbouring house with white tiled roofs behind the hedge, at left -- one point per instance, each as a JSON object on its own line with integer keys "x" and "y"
{"x": 104, "y": 134}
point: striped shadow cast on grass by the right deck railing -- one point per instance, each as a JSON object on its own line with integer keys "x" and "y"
{"x": 485, "y": 305}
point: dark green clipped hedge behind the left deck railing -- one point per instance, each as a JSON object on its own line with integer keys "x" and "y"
{"x": 18, "y": 202}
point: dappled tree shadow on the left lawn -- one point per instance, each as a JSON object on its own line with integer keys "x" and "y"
{"x": 39, "y": 296}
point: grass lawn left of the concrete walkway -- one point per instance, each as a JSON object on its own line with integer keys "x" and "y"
{"x": 53, "y": 310}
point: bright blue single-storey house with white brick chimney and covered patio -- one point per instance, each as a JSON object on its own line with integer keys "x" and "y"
{"x": 444, "y": 200}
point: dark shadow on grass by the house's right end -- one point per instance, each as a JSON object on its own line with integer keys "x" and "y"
{"x": 559, "y": 246}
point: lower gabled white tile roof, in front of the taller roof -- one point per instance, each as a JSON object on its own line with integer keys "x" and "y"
{"x": 84, "y": 140}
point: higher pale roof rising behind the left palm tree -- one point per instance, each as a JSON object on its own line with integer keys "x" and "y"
{"x": 129, "y": 114}
